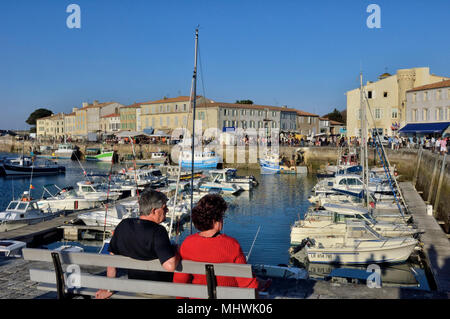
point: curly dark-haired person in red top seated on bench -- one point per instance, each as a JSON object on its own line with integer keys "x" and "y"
{"x": 211, "y": 245}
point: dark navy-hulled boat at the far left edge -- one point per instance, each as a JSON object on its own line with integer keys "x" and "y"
{"x": 24, "y": 166}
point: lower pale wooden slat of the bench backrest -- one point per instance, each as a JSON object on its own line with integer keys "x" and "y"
{"x": 146, "y": 286}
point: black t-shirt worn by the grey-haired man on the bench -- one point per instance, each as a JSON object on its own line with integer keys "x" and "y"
{"x": 143, "y": 240}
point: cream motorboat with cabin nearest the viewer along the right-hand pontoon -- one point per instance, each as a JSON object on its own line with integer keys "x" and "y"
{"x": 360, "y": 245}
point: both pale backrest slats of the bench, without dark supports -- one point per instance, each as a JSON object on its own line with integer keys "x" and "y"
{"x": 140, "y": 286}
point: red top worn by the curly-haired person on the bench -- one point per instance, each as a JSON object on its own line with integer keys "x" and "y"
{"x": 219, "y": 249}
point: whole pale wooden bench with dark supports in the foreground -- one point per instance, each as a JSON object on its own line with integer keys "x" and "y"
{"x": 88, "y": 284}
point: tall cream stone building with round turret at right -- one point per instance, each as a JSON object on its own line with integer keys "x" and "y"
{"x": 387, "y": 100}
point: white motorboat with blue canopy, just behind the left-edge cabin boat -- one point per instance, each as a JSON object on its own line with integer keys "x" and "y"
{"x": 65, "y": 199}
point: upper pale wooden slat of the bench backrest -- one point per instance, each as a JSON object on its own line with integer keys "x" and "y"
{"x": 91, "y": 259}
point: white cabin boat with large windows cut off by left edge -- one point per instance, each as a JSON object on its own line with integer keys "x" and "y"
{"x": 24, "y": 212}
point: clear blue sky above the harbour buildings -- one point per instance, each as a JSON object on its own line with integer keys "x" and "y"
{"x": 303, "y": 54}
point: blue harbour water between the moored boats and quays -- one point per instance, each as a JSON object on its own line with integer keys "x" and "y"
{"x": 260, "y": 219}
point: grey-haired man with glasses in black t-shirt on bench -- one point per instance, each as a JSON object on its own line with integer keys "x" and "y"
{"x": 144, "y": 238}
